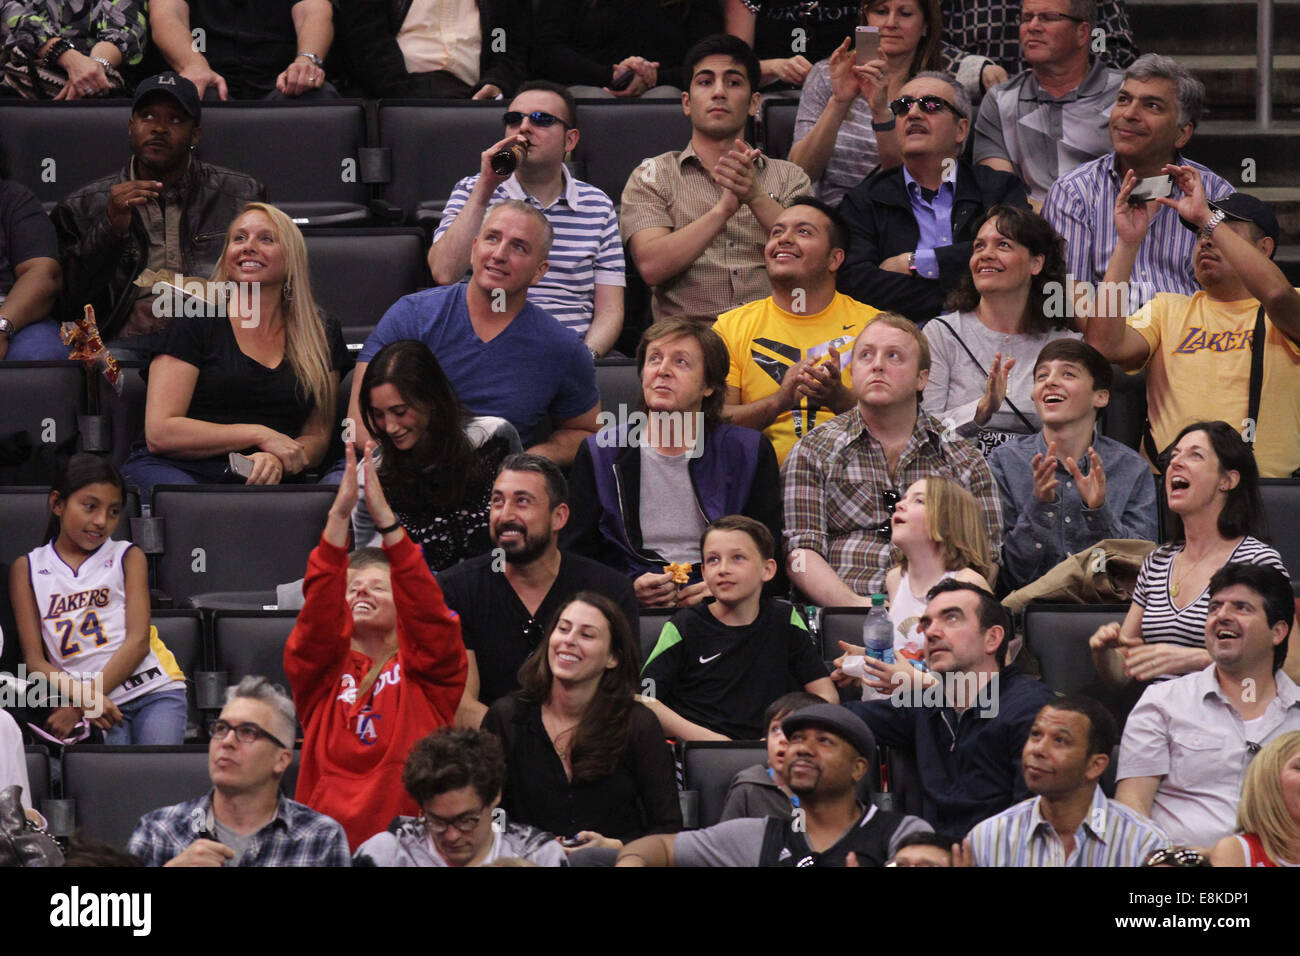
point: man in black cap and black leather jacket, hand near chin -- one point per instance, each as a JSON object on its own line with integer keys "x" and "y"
{"x": 167, "y": 210}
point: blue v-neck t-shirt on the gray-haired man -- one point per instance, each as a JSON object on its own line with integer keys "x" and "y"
{"x": 534, "y": 370}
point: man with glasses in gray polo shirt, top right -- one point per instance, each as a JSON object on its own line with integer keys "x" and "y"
{"x": 1052, "y": 118}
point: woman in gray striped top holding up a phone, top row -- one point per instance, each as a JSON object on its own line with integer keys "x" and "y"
{"x": 844, "y": 128}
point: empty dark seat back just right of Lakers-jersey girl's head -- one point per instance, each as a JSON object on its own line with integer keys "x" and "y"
{"x": 235, "y": 538}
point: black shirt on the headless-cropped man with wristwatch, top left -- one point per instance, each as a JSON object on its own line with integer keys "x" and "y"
{"x": 249, "y": 42}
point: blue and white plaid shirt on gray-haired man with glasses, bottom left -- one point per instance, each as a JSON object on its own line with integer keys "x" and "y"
{"x": 297, "y": 837}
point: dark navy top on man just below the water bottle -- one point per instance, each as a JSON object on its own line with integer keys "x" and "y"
{"x": 969, "y": 764}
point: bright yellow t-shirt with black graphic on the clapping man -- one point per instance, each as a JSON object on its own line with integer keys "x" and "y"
{"x": 765, "y": 341}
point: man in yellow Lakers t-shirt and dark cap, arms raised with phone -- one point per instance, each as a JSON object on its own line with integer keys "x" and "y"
{"x": 1241, "y": 334}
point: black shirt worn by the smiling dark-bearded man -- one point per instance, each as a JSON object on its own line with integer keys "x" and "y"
{"x": 500, "y": 630}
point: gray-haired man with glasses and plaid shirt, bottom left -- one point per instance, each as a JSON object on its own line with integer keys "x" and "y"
{"x": 244, "y": 820}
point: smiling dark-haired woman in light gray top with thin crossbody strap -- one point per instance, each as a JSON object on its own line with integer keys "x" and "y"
{"x": 1003, "y": 318}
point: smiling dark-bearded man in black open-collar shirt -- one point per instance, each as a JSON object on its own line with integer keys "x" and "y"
{"x": 509, "y": 596}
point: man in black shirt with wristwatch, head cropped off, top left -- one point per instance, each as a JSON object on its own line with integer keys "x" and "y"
{"x": 248, "y": 50}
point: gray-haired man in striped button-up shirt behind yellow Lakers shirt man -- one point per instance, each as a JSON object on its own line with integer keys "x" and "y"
{"x": 1156, "y": 111}
